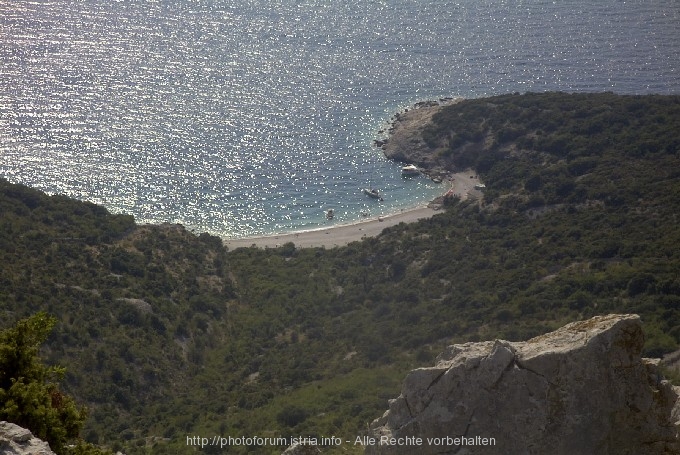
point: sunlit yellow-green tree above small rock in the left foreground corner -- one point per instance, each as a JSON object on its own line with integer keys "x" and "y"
{"x": 29, "y": 392}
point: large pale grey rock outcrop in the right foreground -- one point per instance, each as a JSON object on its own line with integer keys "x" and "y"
{"x": 583, "y": 389}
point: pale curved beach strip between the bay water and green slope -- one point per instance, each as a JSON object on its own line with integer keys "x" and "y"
{"x": 461, "y": 184}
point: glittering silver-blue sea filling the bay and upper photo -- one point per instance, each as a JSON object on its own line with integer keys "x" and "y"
{"x": 250, "y": 117}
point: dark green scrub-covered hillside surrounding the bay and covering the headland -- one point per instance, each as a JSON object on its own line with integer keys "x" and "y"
{"x": 166, "y": 335}
